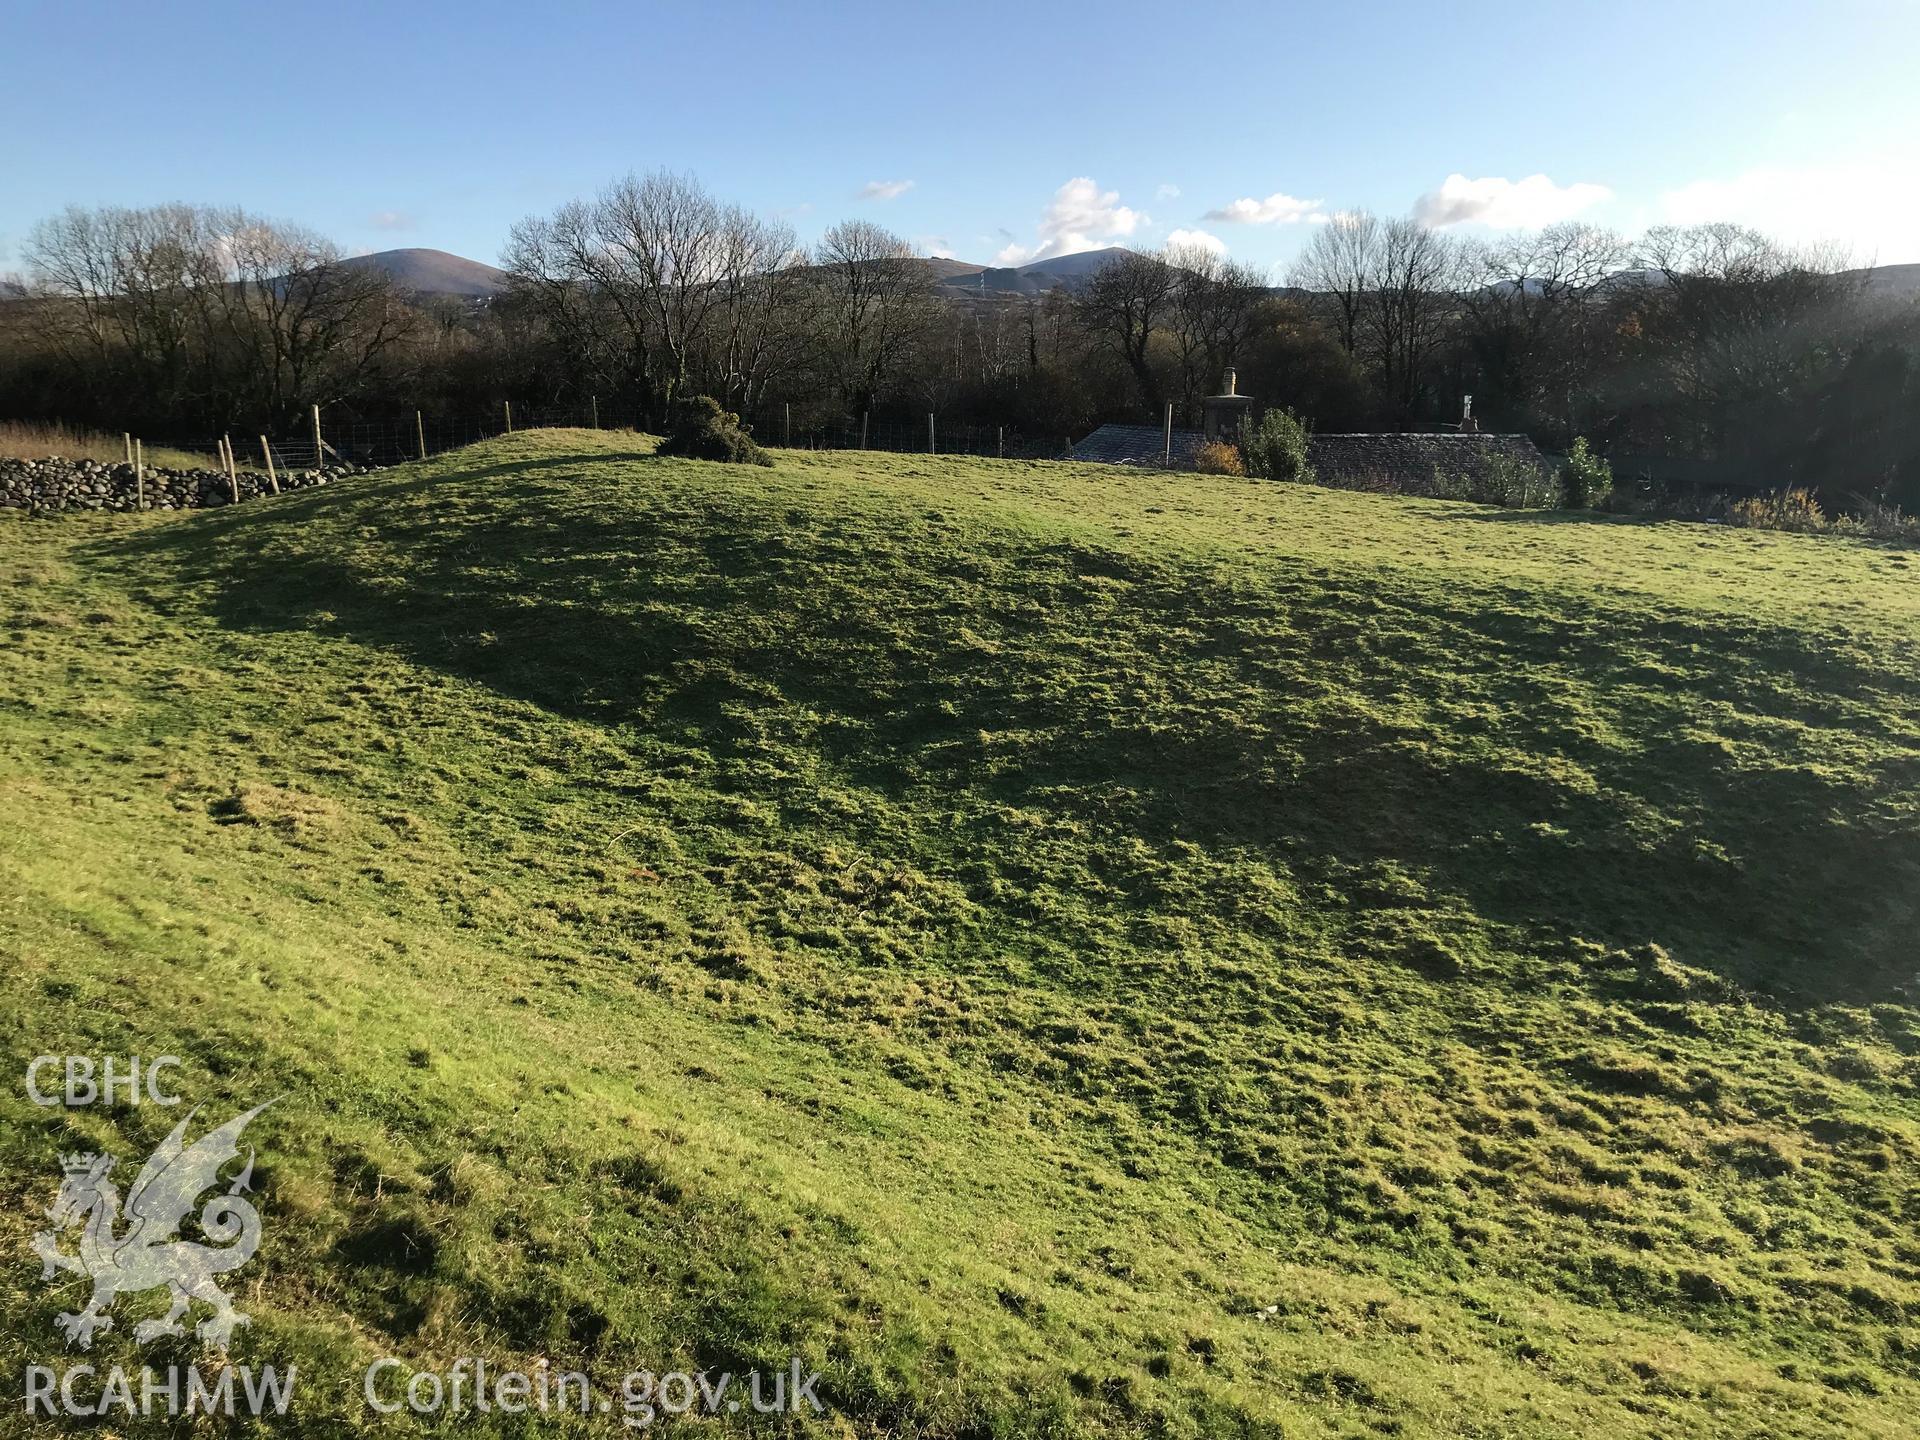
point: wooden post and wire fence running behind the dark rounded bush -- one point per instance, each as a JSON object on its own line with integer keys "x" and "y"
{"x": 414, "y": 437}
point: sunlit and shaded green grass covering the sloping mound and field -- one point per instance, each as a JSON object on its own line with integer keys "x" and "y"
{"x": 1063, "y": 951}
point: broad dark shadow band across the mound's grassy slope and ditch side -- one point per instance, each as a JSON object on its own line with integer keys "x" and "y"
{"x": 1550, "y": 771}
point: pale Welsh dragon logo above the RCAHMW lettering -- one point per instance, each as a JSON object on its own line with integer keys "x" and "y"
{"x": 151, "y": 1253}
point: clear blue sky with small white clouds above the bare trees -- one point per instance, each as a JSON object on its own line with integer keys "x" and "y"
{"x": 990, "y": 132}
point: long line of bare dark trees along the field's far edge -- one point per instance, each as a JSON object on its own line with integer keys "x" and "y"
{"x": 1706, "y": 343}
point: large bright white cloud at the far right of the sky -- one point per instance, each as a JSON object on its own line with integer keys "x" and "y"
{"x": 1867, "y": 208}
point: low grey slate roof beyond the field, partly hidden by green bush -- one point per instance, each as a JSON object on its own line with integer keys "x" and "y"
{"x": 1385, "y": 460}
